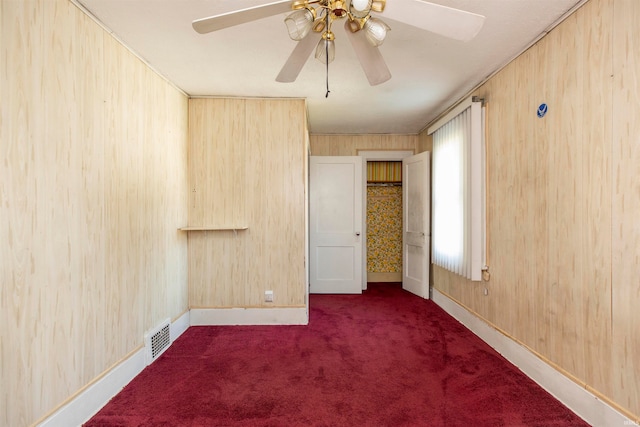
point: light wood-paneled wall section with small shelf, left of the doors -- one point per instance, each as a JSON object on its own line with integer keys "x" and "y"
{"x": 247, "y": 165}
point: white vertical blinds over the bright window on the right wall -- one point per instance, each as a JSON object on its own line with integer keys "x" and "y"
{"x": 458, "y": 208}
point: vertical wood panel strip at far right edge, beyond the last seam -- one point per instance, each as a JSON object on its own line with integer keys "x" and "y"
{"x": 626, "y": 206}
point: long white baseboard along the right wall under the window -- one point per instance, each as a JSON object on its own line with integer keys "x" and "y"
{"x": 585, "y": 404}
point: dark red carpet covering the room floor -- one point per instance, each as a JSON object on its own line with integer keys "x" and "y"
{"x": 384, "y": 358}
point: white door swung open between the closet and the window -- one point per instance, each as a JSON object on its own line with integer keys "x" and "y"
{"x": 416, "y": 211}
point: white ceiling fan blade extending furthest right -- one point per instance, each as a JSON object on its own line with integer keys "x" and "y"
{"x": 446, "y": 21}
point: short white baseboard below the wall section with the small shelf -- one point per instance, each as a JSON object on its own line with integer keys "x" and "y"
{"x": 249, "y": 316}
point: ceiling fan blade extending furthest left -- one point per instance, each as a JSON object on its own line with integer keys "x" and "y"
{"x": 229, "y": 19}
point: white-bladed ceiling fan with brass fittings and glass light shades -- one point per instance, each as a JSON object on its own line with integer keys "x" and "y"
{"x": 311, "y": 21}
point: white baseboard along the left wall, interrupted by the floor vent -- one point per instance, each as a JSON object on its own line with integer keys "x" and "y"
{"x": 89, "y": 401}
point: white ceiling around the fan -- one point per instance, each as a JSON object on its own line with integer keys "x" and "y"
{"x": 429, "y": 72}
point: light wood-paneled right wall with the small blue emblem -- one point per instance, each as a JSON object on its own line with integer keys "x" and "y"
{"x": 563, "y": 199}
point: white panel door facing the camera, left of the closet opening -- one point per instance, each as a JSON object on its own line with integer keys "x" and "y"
{"x": 335, "y": 224}
